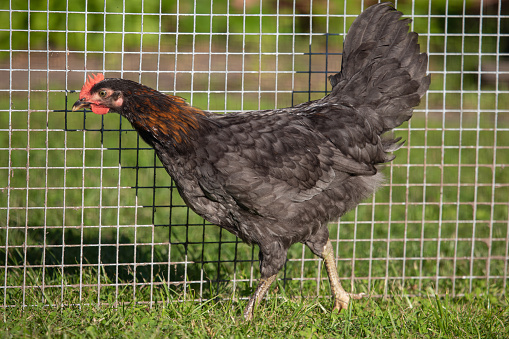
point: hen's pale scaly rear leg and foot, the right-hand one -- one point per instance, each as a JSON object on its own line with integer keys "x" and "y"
{"x": 341, "y": 297}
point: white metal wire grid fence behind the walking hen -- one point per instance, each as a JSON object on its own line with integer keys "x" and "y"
{"x": 88, "y": 214}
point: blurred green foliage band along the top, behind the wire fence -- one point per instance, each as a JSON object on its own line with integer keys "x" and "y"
{"x": 455, "y": 44}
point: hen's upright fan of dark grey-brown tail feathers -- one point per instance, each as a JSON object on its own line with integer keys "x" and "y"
{"x": 382, "y": 71}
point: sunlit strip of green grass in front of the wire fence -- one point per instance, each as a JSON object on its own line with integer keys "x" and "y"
{"x": 278, "y": 316}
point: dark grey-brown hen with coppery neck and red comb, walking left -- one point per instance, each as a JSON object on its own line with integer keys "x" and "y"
{"x": 277, "y": 177}
